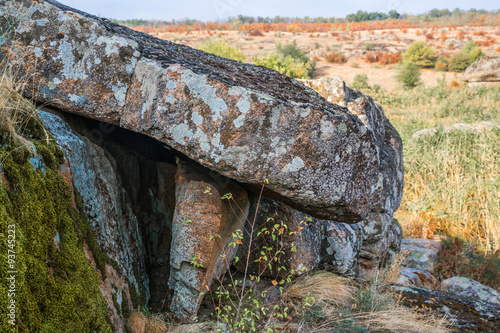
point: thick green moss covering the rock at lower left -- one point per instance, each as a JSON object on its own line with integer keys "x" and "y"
{"x": 57, "y": 290}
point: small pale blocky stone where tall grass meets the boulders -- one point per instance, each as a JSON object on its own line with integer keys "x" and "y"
{"x": 422, "y": 254}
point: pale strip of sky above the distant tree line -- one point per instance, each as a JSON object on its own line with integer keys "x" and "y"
{"x": 207, "y": 10}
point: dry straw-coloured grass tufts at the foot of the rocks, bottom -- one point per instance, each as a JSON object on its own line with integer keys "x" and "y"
{"x": 343, "y": 306}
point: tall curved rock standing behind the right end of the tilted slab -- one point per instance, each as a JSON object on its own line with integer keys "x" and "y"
{"x": 381, "y": 235}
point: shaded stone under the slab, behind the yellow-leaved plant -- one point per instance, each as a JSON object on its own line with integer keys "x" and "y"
{"x": 284, "y": 229}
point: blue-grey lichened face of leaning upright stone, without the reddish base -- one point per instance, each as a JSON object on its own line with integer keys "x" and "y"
{"x": 110, "y": 216}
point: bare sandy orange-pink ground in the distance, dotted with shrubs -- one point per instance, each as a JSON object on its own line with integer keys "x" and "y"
{"x": 354, "y": 46}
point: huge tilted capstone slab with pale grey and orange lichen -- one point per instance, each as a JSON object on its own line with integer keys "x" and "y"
{"x": 245, "y": 122}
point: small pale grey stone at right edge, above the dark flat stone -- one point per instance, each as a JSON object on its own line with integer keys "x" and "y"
{"x": 468, "y": 287}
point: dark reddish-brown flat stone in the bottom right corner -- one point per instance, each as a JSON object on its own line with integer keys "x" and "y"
{"x": 467, "y": 313}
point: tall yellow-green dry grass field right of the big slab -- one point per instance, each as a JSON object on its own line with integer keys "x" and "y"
{"x": 452, "y": 179}
